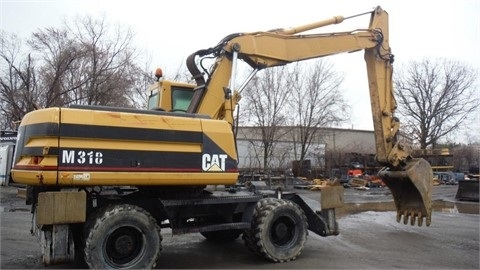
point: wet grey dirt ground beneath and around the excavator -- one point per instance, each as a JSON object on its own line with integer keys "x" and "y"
{"x": 370, "y": 238}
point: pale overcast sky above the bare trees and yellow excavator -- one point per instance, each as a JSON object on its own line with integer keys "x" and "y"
{"x": 169, "y": 31}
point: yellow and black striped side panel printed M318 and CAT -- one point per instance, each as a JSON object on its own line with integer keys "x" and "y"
{"x": 98, "y": 147}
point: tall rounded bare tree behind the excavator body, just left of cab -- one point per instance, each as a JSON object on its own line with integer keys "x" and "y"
{"x": 107, "y": 63}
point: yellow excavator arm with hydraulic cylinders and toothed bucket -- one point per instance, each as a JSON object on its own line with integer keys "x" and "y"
{"x": 409, "y": 179}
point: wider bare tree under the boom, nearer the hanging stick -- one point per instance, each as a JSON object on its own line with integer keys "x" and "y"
{"x": 316, "y": 102}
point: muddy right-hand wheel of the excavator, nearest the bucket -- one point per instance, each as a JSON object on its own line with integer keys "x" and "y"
{"x": 279, "y": 230}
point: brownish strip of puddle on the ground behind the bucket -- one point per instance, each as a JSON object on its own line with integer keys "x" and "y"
{"x": 438, "y": 206}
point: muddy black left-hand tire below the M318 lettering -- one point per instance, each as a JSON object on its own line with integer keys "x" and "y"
{"x": 129, "y": 224}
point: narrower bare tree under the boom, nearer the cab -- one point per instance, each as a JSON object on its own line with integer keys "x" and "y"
{"x": 267, "y": 97}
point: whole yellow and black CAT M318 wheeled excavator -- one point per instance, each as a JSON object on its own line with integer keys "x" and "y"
{"x": 104, "y": 181}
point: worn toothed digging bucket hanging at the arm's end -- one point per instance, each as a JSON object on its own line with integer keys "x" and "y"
{"x": 411, "y": 187}
